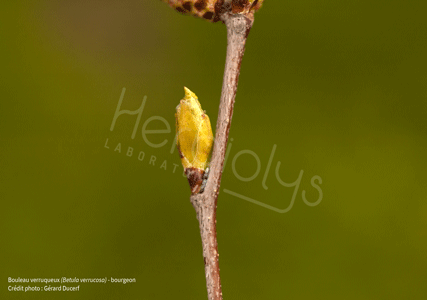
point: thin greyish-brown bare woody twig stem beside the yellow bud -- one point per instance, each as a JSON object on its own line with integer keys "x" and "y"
{"x": 238, "y": 27}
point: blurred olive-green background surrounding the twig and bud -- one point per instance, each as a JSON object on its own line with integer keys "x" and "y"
{"x": 339, "y": 87}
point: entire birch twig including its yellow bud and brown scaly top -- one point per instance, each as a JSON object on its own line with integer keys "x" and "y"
{"x": 238, "y": 16}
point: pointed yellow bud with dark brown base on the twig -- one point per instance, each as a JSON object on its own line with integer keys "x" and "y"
{"x": 194, "y": 138}
